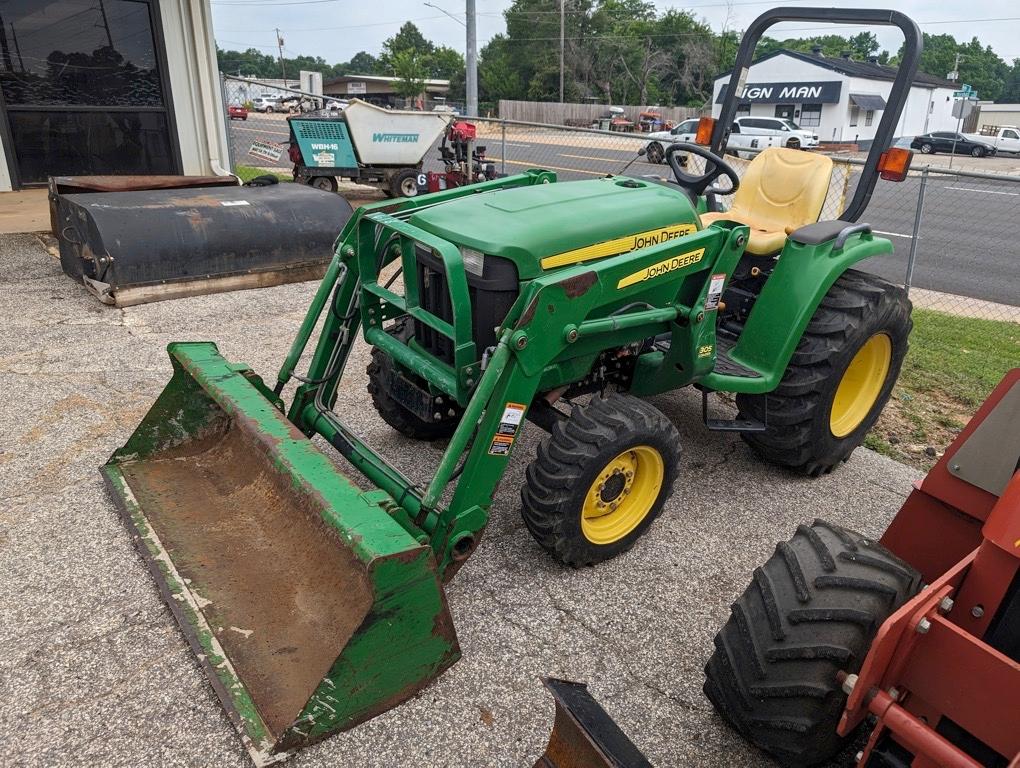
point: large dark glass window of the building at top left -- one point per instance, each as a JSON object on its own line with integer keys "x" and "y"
{"x": 84, "y": 89}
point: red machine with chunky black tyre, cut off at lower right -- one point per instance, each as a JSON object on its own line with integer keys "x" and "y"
{"x": 917, "y": 634}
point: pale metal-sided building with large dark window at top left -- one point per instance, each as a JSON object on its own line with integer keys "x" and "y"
{"x": 109, "y": 87}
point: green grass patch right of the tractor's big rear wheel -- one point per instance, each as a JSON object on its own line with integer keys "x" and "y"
{"x": 961, "y": 357}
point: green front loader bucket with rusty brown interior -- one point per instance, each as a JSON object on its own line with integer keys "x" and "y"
{"x": 310, "y": 607}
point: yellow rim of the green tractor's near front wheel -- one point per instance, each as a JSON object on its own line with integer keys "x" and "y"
{"x": 623, "y": 495}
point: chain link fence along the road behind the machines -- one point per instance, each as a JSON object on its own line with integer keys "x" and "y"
{"x": 955, "y": 247}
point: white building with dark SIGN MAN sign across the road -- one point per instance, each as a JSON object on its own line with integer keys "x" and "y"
{"x": 841, "y": 99}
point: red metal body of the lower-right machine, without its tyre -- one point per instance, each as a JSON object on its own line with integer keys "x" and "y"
{"x": 943, "y": 676}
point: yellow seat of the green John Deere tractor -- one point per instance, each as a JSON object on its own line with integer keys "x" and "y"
{"x": 782, "y": 191}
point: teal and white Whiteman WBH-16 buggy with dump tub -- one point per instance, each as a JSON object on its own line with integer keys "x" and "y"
{"x": 383, "y": 148}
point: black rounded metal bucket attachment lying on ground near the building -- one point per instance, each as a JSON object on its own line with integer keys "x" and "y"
{"x": 133, "y": 247}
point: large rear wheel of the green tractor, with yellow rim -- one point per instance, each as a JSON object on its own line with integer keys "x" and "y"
{"x": 839, "y": 380}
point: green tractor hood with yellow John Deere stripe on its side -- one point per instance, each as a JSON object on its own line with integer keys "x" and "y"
{"x": 550, "y": 226}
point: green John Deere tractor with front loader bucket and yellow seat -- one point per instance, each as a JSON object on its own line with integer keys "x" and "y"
{"x": 316, "y": 605}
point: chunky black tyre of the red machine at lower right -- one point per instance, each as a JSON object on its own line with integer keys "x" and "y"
{"x": 811, "y": 611}
